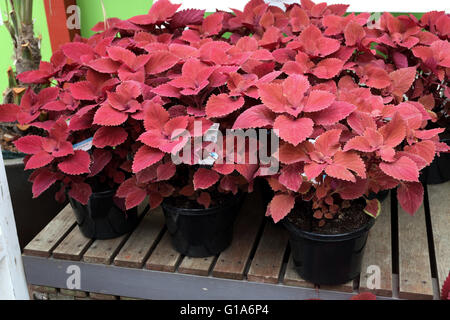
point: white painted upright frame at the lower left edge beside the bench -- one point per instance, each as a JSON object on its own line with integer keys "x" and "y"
{"x": 13, "y": 285}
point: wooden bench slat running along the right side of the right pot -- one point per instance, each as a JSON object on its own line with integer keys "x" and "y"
{"x": 378, "y": 253}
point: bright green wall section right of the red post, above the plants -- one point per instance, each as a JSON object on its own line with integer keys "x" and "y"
{"x": 92, "y": 13}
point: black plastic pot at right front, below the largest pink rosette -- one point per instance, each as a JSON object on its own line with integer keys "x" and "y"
{"x": 328, "y": 259}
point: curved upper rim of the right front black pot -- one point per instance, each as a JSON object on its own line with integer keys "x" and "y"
{"x": 293, "y": 229}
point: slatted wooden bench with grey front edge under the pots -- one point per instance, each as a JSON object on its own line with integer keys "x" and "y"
{"x": 410, "y": 254}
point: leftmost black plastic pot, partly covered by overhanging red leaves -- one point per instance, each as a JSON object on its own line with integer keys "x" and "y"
{"x": 102, "y": 218}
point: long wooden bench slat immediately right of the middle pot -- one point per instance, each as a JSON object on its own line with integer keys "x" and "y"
{"x": 232, "y": 262}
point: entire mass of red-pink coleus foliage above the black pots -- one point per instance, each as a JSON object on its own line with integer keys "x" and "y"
{"x": 350, "y": 100}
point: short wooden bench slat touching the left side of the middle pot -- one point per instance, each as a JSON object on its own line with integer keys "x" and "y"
{"x": 164, "y": 257}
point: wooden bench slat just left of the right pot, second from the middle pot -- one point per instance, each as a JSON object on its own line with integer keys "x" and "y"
{"x": 268, "y": 260}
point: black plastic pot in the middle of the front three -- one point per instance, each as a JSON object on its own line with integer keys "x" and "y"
{"x": 201, "y": 233}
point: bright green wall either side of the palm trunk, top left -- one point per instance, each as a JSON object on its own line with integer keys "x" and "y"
{"x": 6, "y": 51}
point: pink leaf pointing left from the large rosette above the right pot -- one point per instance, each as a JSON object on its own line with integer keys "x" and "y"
{"x": 256, "y": 117}
